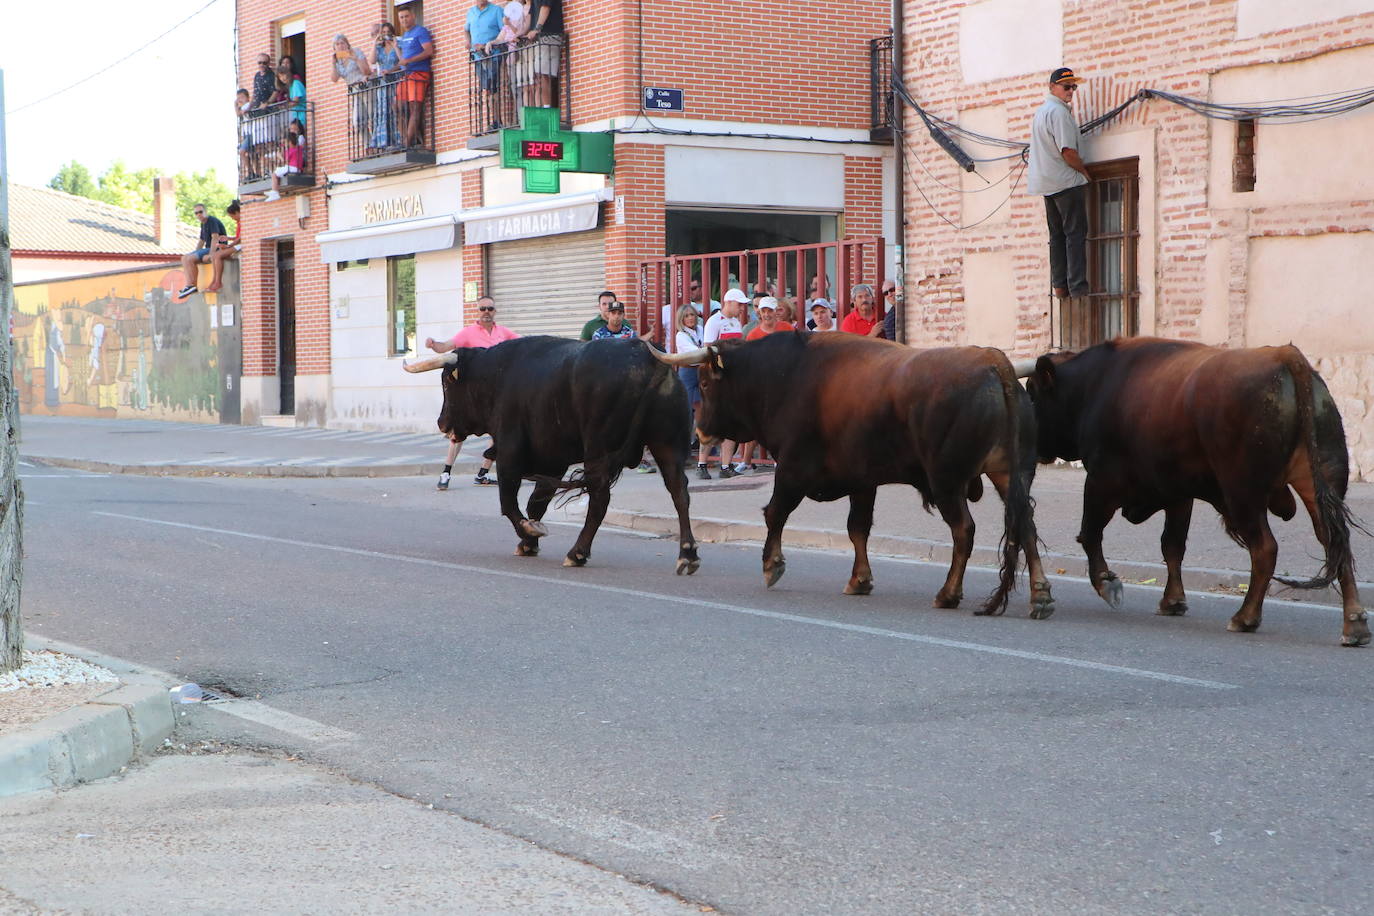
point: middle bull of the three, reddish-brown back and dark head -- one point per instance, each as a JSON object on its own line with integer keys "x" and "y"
{"x": 846, "y": 414}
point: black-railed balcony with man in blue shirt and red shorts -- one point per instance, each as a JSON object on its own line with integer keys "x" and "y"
{"x": 387, "y": 131}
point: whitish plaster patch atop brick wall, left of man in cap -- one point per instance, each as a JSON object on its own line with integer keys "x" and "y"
{"x": 1009, "y": 39}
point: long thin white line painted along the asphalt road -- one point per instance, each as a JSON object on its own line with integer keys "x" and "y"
{"x": 693, "y": 602}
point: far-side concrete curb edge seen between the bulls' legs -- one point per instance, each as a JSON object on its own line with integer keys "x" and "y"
{"x": 715, "y": 531}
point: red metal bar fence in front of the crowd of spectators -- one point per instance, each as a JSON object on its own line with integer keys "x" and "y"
{"x": 799, "y": 273}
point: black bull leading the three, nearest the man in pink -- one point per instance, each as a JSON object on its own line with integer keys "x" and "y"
{"x": 550, "y": 404}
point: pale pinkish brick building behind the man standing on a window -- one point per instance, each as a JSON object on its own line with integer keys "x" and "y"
{"x": 1202, "y": 229}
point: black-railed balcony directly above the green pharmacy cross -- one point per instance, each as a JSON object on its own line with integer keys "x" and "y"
{"x": 510, "y": 79}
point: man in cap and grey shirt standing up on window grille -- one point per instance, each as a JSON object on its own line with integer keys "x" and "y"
{"x": 1057, "y": 174}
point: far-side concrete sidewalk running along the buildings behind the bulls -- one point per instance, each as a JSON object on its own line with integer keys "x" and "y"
{"x": 722, "y": 510}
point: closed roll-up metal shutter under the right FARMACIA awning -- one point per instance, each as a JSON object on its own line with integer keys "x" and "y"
{"x": 548, "y": 285}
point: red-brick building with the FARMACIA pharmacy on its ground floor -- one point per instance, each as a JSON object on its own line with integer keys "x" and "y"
{"x": 374, "y": 248}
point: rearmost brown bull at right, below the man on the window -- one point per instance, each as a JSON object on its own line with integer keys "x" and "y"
{"x": 1159, "y": 424}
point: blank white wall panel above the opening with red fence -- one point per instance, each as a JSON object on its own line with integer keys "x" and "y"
{"x": 754, "y": 179}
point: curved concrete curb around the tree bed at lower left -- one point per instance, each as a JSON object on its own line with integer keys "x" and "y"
{"x": 89, "y": 742}
